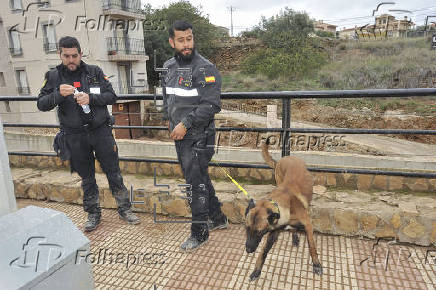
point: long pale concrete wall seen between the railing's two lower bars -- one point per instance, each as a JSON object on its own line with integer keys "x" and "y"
{"x": 156, "y": 149}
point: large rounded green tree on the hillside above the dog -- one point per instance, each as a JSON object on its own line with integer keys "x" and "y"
{"x": 290, "y": 51}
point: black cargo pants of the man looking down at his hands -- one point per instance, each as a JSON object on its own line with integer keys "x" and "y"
{"x": 82, "y": 147}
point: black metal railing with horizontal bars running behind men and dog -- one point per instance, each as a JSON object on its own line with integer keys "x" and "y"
{"x": 286, "y": 128}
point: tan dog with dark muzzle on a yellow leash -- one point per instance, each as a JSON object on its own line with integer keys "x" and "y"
{"x": 287, "y": 204}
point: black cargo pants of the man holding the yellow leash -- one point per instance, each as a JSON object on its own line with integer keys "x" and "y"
{"x": 194, "y": 156}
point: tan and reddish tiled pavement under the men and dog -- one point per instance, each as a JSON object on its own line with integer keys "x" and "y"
{"x": 155, "y": 260}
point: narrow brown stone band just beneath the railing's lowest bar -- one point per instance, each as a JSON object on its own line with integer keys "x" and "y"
{"x": 341, "y": 180}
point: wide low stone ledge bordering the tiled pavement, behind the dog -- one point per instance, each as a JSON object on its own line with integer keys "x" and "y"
{"x": 405, "y": 217}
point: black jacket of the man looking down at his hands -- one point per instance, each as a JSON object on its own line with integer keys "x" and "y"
{"x": 71, "y": 115}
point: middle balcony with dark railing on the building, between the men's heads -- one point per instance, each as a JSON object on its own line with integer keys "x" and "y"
{"x": 125, "y": 49}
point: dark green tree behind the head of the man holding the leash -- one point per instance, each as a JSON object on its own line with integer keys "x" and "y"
{"x": 156, "y": 35}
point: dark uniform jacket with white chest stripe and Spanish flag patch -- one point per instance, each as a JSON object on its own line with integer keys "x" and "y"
{"x": 192, "y": 94}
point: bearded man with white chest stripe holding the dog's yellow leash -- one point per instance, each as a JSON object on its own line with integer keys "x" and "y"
{"x": 192, "y": 89}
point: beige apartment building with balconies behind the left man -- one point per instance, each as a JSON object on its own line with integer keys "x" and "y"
{"x": 109, "y": 31}
